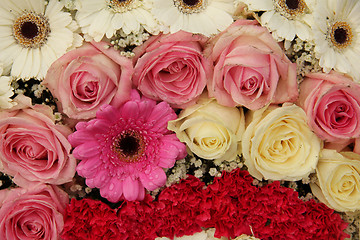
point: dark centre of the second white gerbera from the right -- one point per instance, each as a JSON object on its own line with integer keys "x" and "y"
{"x": 290, "y": 8}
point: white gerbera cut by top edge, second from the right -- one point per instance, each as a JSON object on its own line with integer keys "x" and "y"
{"x": 285, "y": 18}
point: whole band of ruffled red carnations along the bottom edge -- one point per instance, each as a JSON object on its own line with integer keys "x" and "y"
{"x": 231, "y": 205}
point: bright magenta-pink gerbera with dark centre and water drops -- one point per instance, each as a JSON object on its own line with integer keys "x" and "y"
{"x": 124, "y": 150}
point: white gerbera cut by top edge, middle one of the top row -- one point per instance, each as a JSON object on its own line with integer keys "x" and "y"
{"x": 197, "y": 16}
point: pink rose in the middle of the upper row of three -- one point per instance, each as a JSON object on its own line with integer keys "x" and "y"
{"x": 172, "y": 68}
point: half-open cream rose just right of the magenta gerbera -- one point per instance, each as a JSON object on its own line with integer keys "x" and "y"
{"x": 210, "y": 130}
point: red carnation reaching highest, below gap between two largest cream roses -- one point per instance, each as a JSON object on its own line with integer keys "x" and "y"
{"x": 229, "y": 200}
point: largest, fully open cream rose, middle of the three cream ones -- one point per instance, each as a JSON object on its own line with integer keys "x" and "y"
{"x": 278, "y": 144}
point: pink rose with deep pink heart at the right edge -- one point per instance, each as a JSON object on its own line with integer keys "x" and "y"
{"x": 332, "y": 105}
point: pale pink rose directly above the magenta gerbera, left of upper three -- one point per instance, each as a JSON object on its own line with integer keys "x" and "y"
{"x": 85, "y": 78}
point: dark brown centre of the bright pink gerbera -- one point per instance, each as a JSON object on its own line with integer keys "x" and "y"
{"x": 129, "y": 146}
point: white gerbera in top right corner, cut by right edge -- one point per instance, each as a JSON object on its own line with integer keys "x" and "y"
{"x": 337, "y": 36}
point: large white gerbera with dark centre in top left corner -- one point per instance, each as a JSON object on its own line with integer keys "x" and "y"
{"x": 33, "y": 36}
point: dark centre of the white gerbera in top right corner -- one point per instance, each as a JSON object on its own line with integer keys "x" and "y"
{"x": 341, "y": 35}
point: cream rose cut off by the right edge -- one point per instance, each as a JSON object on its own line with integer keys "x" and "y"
{"x": 338, "y": 184}
